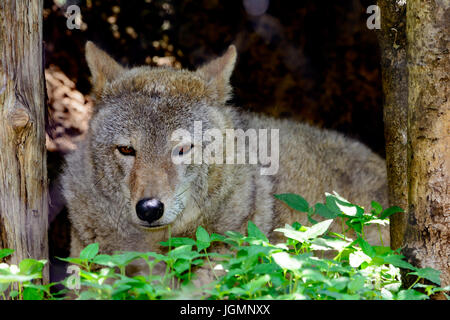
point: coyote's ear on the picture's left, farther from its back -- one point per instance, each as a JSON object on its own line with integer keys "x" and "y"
{"x": 103, "y": 68}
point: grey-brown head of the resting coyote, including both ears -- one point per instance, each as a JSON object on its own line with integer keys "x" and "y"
{"x": 130, "y": 137}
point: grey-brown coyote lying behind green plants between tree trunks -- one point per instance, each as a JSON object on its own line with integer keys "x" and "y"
{"x": 124, "y": 189}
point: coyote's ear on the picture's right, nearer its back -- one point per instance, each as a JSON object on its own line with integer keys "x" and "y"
{"x": 218, "y": 72}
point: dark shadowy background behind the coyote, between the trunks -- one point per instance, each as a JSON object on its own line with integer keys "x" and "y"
{"x": 312, "y": 61}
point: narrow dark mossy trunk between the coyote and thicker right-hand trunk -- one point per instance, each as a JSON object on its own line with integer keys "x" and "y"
{"x": 392, "y": 40}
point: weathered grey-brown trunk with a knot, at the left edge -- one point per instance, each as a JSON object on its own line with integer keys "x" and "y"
{"x": 23, "y": 168}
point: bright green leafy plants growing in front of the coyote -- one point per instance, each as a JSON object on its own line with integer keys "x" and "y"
{"x": 251, "y": 268}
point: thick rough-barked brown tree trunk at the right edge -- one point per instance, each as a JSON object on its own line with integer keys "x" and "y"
{"x": 427, "y": 237}
